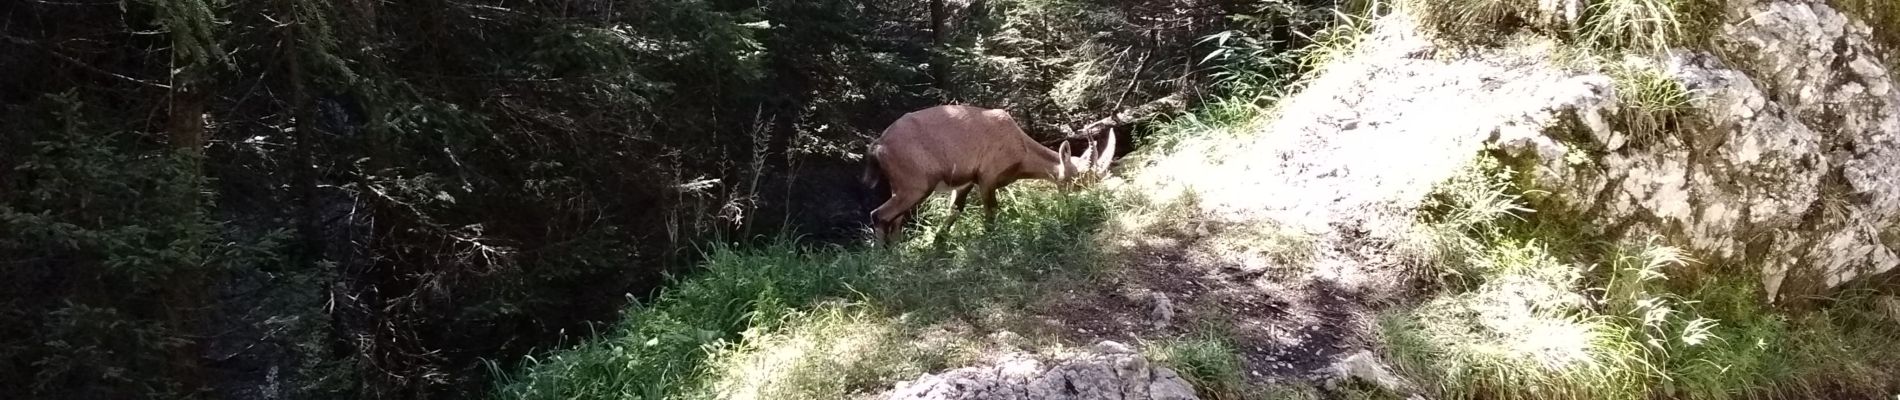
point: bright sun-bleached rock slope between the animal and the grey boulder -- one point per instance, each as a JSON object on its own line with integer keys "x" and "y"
{"x": 1352, "y": 156}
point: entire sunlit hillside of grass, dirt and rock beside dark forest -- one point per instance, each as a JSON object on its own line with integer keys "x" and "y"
{"x": 1527, "y": 219}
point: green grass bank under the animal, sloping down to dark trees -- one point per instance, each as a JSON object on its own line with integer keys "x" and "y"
{"x": 789, "y": 321}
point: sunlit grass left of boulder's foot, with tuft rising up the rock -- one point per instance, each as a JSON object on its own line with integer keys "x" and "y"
{"x": 1519, "y": 323}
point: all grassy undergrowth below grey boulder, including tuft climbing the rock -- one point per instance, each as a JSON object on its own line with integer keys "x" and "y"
{"x": 1542, "y": 312}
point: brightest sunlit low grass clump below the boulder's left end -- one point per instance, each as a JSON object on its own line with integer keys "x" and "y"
{"x": 1525, "y": 333}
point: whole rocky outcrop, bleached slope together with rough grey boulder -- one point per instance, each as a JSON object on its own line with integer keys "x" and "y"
{"x": 1787, "y": 158}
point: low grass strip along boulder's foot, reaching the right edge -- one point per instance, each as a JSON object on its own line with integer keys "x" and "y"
{"x": 1538, "y": 329}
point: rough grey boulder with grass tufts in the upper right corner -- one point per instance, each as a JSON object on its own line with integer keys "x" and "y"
{"x": 1789, "y": 160}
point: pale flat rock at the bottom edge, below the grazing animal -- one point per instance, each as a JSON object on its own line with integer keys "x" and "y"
{"x": 1112, "y": 371}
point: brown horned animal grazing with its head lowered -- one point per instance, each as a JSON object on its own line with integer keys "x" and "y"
{"x": 962, "y": 149}
